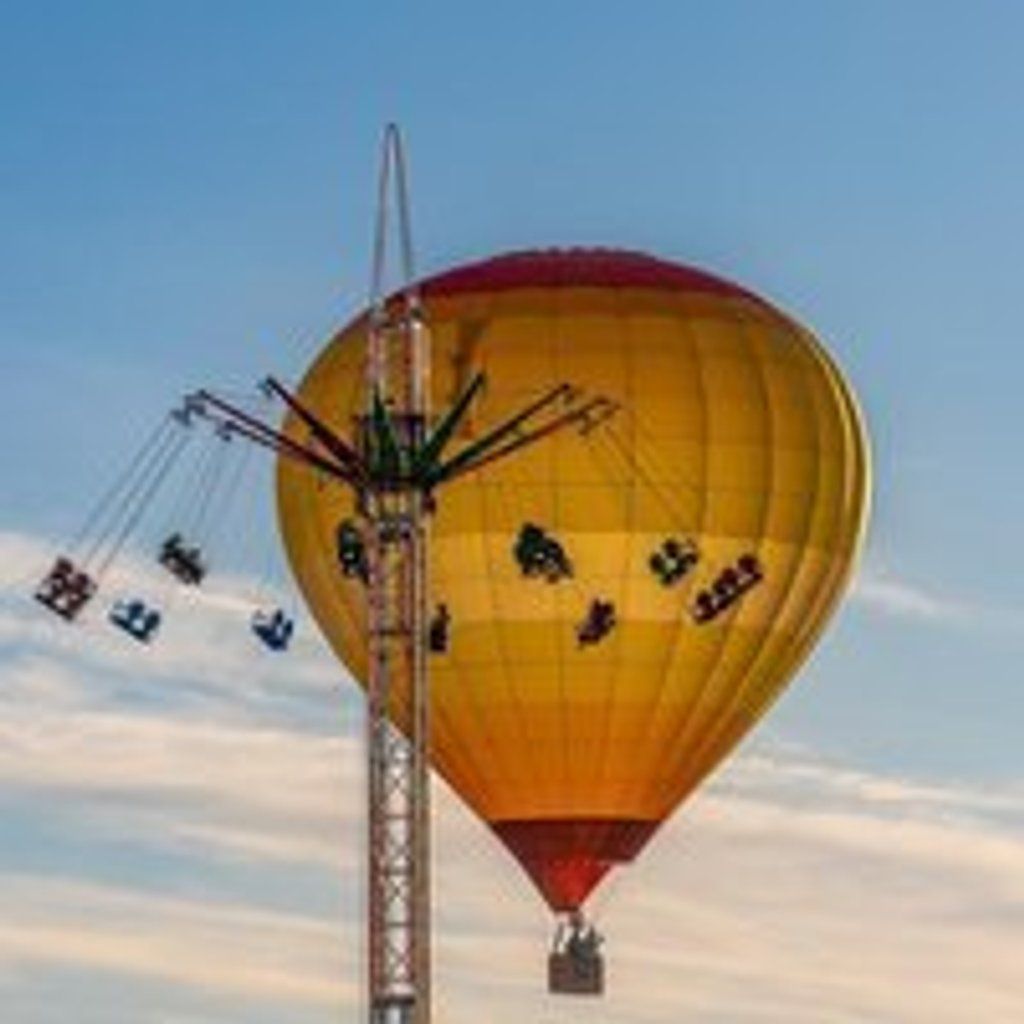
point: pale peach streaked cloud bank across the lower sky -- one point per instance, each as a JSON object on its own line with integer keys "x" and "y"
{"x": 181, "y": 842}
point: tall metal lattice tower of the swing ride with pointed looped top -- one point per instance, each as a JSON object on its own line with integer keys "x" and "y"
{"x": 398, "y": 525}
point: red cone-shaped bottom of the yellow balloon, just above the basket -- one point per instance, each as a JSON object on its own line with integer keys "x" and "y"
{"x": 567, "y": 859}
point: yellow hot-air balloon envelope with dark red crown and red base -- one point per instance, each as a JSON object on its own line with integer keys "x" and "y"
{"x": 736, "y": 433}
